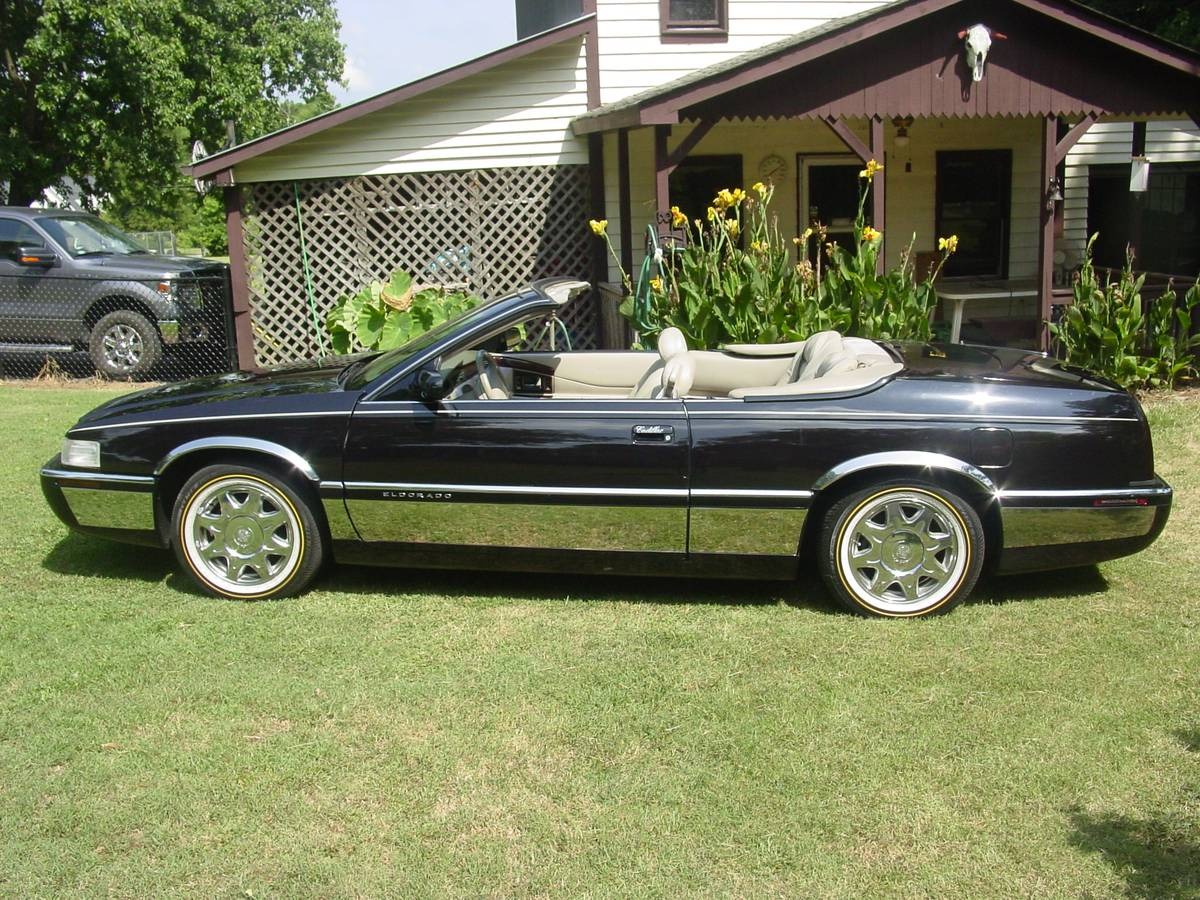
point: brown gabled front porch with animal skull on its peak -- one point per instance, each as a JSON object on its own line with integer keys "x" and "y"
{"x": 981, "y": 160}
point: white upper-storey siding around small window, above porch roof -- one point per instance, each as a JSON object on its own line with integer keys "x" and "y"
{"x": 633, "y": 56}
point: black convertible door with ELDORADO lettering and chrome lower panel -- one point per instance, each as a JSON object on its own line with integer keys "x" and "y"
{"x": 533, "y": 473}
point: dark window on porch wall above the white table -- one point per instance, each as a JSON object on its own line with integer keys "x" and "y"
{"x": 974, "y": 194}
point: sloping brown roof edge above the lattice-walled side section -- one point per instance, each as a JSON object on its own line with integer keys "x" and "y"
{"x": 235, "y": 155}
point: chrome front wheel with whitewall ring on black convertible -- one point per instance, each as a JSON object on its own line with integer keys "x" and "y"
{"x": 242, "y": 536}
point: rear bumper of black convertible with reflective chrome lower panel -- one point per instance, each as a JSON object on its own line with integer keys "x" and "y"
{"x": 1058, "y": 530}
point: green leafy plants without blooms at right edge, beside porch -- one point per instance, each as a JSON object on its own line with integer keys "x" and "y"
{"x": 1109, "y": 331}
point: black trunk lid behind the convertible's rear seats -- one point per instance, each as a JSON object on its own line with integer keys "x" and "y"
{"x": 1003, "y": 365}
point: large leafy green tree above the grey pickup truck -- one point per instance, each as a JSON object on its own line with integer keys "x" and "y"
{"x": 101, "y": 92}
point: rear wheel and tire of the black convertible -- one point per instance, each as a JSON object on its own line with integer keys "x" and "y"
{"x": 902, "y": 549}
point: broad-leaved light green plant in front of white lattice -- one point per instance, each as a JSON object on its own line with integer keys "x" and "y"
{"x": 387, "y": 315}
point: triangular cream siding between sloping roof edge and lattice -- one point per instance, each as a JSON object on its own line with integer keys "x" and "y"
{"x": 517, "y": 115}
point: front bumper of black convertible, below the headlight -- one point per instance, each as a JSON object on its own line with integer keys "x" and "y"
{"x": 109, "y": 506}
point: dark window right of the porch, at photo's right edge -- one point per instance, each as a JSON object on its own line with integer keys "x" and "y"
{"x": 1163, "y": 224}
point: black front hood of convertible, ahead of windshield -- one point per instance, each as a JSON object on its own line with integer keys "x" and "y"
{"x": 237, "y": 392}
